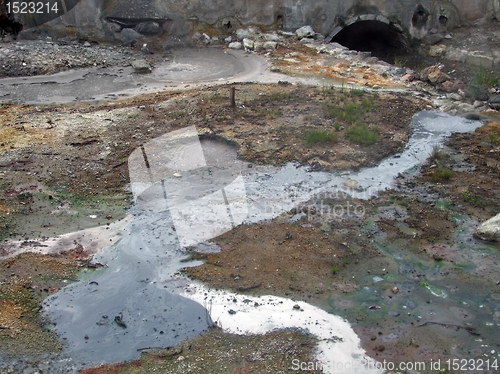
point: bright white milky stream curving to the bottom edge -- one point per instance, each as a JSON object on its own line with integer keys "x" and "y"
{"x": 339, "y": 348}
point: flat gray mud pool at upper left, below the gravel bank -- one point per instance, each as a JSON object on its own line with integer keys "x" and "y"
{"x": 185, "y": 69}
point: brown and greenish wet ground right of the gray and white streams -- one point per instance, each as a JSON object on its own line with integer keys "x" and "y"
{"x": 402, "y": 267}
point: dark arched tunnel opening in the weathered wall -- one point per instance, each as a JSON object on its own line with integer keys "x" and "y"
{"x": 379, "y": 38}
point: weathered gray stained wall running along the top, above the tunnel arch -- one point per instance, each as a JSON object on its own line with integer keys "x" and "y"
{"x": 127, "y": 20}
